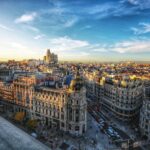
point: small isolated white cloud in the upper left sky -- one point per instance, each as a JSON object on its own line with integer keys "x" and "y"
{"x": 26, "y": 18}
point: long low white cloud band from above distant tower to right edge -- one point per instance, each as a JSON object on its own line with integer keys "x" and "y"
{"x": 65, "y": 44}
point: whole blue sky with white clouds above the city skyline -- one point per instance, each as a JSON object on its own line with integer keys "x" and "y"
{"x": 85, "y": 30}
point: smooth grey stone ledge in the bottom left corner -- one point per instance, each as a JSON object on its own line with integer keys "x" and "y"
{"x": 13, "y": 138}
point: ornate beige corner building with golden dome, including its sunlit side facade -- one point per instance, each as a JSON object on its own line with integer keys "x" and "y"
{"x": 65, "y": 109}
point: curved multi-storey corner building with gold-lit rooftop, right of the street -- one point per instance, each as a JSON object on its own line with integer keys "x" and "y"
{"x": 122, "y": 97}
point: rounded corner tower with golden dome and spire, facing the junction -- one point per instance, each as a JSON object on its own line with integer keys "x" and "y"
{"x": 77, "y": 107}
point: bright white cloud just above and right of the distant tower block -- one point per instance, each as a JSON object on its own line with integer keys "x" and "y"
{"x": 66, "y": 43}
